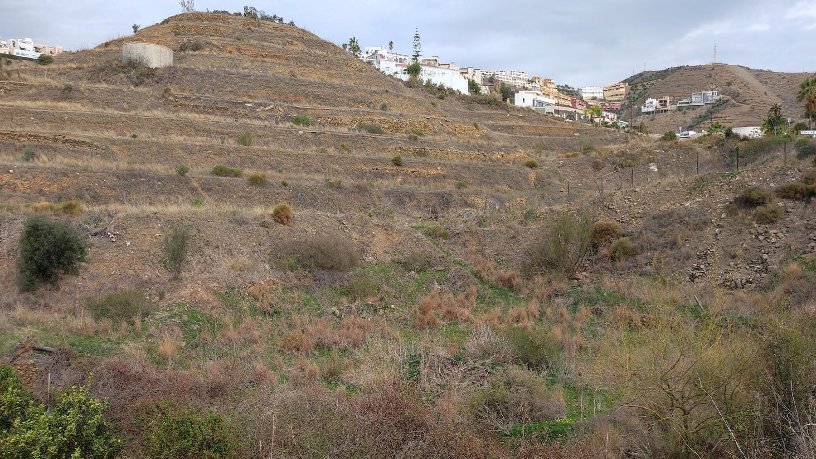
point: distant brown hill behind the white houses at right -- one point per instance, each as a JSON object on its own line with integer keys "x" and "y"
{"x": 748, "y": 94}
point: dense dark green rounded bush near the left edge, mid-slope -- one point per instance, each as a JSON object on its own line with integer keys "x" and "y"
{"x": 47, "y": 249}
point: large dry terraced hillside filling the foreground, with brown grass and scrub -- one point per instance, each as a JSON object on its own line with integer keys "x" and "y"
{"x": 285, "y": 254}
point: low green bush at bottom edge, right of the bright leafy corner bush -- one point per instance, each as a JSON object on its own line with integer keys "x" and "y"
{"x": 173, "y": 433}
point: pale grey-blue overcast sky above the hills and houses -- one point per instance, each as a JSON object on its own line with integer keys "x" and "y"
{"x": 579, "y": 42}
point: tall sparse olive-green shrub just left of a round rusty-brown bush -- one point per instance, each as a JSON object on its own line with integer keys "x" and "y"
{"x": 564, "y": 246}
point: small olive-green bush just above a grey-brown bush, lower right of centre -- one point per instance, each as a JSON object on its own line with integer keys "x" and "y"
{"x": 535, "y": 348}
